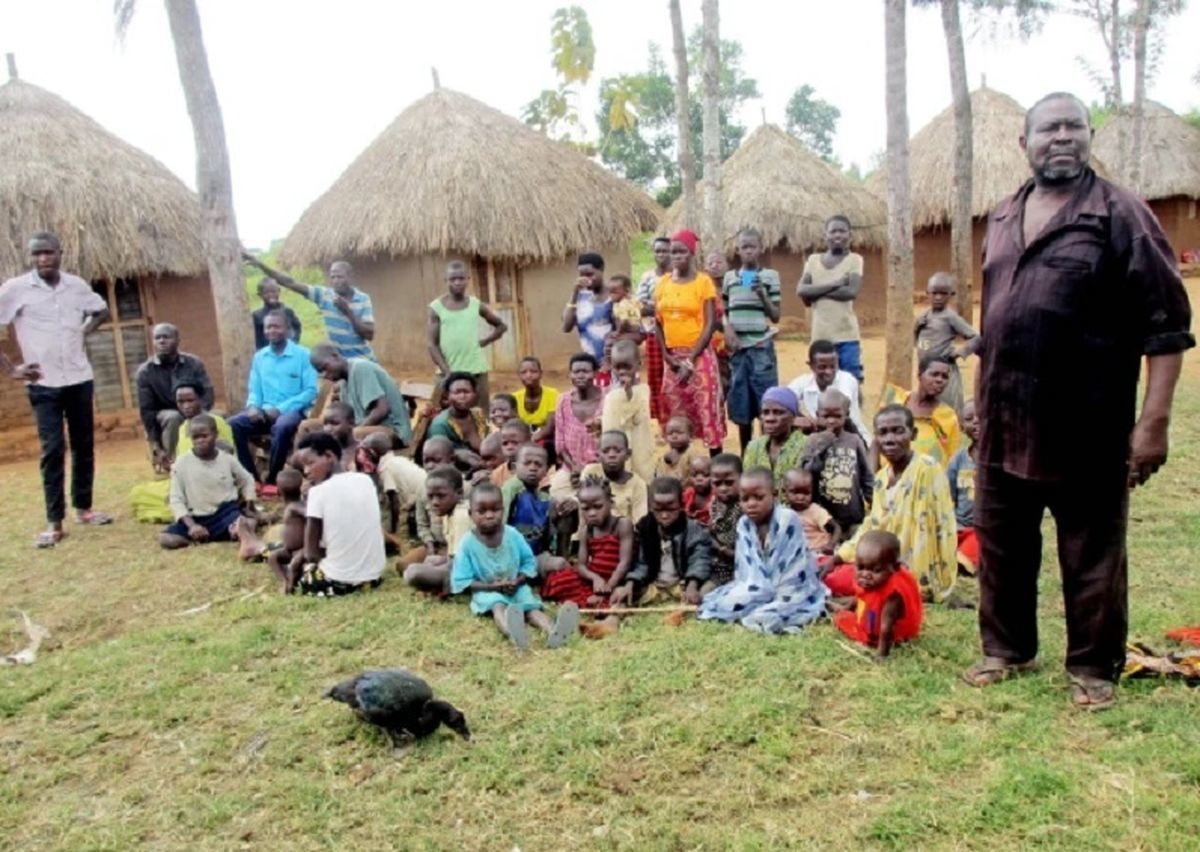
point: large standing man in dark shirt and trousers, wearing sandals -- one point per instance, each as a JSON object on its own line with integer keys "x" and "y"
{"x": 1079, "y": 284}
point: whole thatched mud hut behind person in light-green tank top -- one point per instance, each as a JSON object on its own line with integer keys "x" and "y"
{"x": 454, "y": 178}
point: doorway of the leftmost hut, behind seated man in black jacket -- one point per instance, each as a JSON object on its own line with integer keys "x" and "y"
{"x": 121, "y": 346}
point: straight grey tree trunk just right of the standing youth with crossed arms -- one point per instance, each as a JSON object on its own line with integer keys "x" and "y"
{"x": 899, "y": 314}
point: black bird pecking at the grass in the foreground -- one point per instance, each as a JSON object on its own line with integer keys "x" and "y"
{"x": 399, "y": 703}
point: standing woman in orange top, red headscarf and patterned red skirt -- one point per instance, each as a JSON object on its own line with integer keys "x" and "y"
{"x": 686, "y": 308}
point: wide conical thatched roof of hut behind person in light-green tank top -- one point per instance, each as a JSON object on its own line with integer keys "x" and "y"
{"x": 452, "y": 175}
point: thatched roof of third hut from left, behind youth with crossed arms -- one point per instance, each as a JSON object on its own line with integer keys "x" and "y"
{"x": 776, "y": 185}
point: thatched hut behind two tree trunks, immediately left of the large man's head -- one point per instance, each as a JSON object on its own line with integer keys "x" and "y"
{"x": 1000, "y": 169}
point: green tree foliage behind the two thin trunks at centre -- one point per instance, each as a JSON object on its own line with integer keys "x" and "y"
{"x": 637, "y": 117}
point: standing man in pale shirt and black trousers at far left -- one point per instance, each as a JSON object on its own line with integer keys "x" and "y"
{"x": 52, "y": 313}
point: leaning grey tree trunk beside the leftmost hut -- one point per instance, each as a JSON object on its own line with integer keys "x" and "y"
{"x": 219, "y": 226}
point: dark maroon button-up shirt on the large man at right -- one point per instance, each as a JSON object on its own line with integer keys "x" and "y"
{"x": 1066, "y": 322}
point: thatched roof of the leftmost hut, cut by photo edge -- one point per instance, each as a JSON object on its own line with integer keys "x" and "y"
{"x": 118, "y": 211}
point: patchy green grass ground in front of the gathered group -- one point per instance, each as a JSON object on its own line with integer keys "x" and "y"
{"x": 154, "y": 727}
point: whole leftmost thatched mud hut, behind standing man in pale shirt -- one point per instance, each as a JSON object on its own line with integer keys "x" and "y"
{"x": 128, "y": 225}
